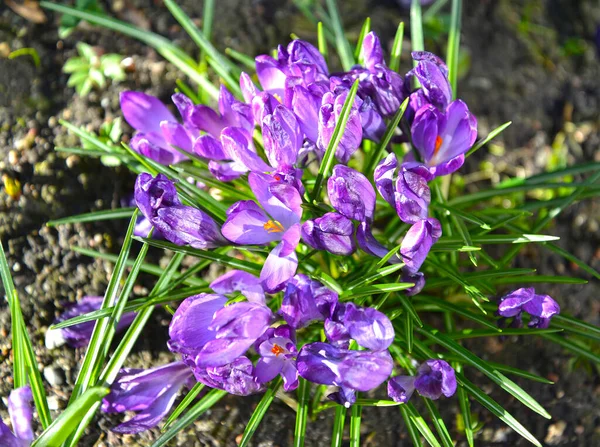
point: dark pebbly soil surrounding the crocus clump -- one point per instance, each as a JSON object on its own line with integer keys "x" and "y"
{"x": 531, "y": 61}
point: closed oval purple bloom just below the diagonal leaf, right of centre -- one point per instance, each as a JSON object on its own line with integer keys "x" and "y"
{"x": 351, "y": 194}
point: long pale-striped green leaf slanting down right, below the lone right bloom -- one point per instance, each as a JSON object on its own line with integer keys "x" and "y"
{"x": 500, "y": 379}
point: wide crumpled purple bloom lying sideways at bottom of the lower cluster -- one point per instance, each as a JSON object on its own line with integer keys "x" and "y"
{"x": 359, "y": 370}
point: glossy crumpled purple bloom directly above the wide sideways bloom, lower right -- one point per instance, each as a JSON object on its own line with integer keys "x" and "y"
{"x": 370, "y": 328}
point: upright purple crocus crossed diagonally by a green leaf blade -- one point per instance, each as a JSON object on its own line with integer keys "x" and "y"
{"x": 329, "y": 114}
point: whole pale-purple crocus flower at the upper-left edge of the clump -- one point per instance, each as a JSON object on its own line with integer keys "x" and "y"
{"x": 157, "y": 129}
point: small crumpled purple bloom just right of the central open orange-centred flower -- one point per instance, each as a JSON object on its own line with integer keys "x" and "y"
{"x": 332, "y": 232}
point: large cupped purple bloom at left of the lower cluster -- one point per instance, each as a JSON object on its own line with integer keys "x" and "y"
{"x": 208, "y": 334}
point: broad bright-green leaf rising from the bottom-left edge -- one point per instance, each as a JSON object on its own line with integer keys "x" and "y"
{"x": 64, "y": 425}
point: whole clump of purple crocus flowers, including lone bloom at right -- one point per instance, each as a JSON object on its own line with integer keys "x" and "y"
{"x": 235, "y": 338}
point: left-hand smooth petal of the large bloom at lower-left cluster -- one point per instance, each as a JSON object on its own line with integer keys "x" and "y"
{"x": 188, "y": 331}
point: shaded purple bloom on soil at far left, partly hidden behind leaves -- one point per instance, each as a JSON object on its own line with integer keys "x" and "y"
{"x": 79, "y": 335}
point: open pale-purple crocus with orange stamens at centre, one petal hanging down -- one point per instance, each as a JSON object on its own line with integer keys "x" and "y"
{"x": 277, "y": 220}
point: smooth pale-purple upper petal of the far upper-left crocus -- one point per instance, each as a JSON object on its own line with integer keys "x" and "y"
{"x": 144, "y": 112}
